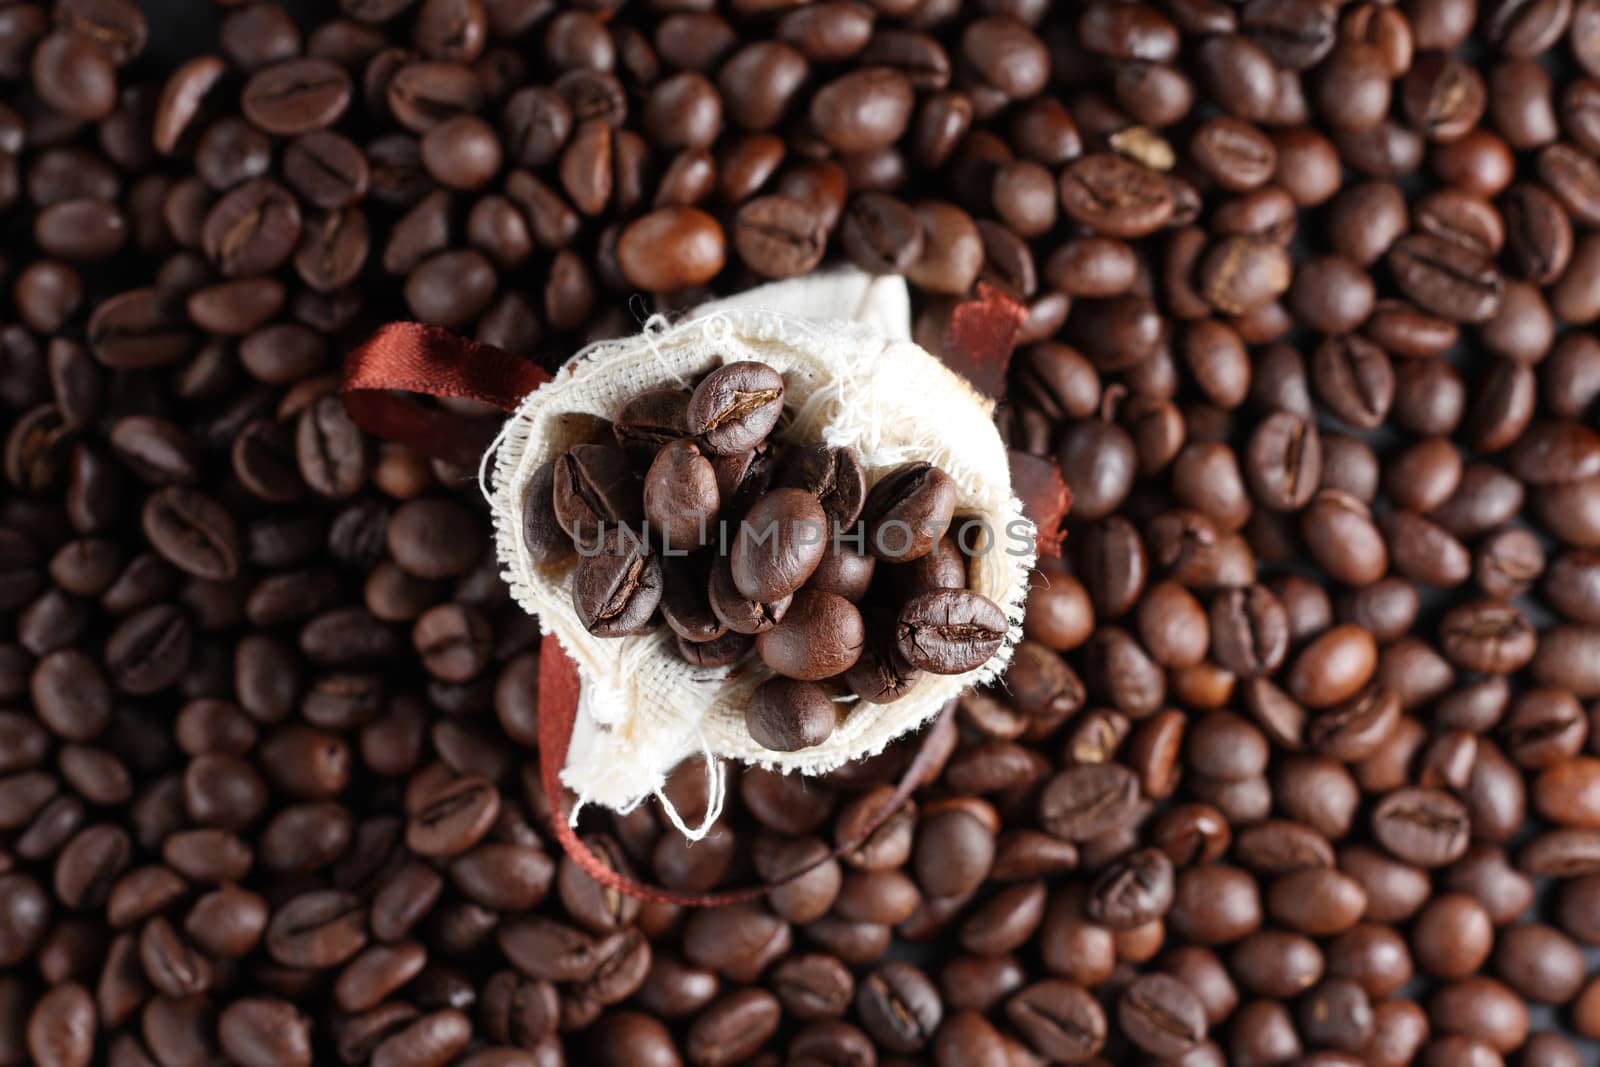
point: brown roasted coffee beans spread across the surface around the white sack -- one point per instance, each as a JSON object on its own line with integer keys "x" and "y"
{"x": 1298, "y": 762}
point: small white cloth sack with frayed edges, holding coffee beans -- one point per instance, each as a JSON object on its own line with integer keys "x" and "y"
{"x": 852, "y": 378}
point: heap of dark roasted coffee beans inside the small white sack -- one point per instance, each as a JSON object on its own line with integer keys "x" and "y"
{"x": 738, "y": 543}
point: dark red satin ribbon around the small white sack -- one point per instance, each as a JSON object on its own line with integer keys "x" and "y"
{"x": 406, "y": 359}
